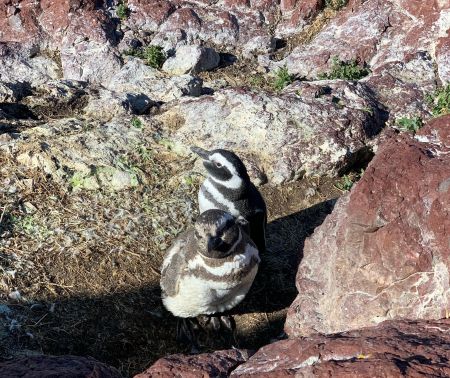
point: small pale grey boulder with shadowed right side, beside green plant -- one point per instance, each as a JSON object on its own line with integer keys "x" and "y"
{"x": 191, "y": 59}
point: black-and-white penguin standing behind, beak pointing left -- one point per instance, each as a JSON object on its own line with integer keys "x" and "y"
{"x": 228, "y": 187}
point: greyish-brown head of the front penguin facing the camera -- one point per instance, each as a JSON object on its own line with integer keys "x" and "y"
{"x": 217, "y": 233}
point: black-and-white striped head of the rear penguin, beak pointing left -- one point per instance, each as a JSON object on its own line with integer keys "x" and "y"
{"x": 223, "y": 166}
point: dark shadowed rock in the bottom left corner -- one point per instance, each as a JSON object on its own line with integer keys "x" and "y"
{"x": 57, "y": 366}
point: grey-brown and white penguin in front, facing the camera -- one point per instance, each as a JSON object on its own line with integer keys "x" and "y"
{"x": 208, "y": 270}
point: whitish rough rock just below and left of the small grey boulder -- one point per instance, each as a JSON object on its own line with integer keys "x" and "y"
{"x": 137, "y": 78}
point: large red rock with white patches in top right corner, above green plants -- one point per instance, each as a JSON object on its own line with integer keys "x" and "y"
{"x": 380, "y": 32}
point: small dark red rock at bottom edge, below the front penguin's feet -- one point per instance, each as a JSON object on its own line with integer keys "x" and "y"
{"x": 215, "y": 365}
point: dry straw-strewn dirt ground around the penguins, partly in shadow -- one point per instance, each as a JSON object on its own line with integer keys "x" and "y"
{"x": 80, "y": 269}
